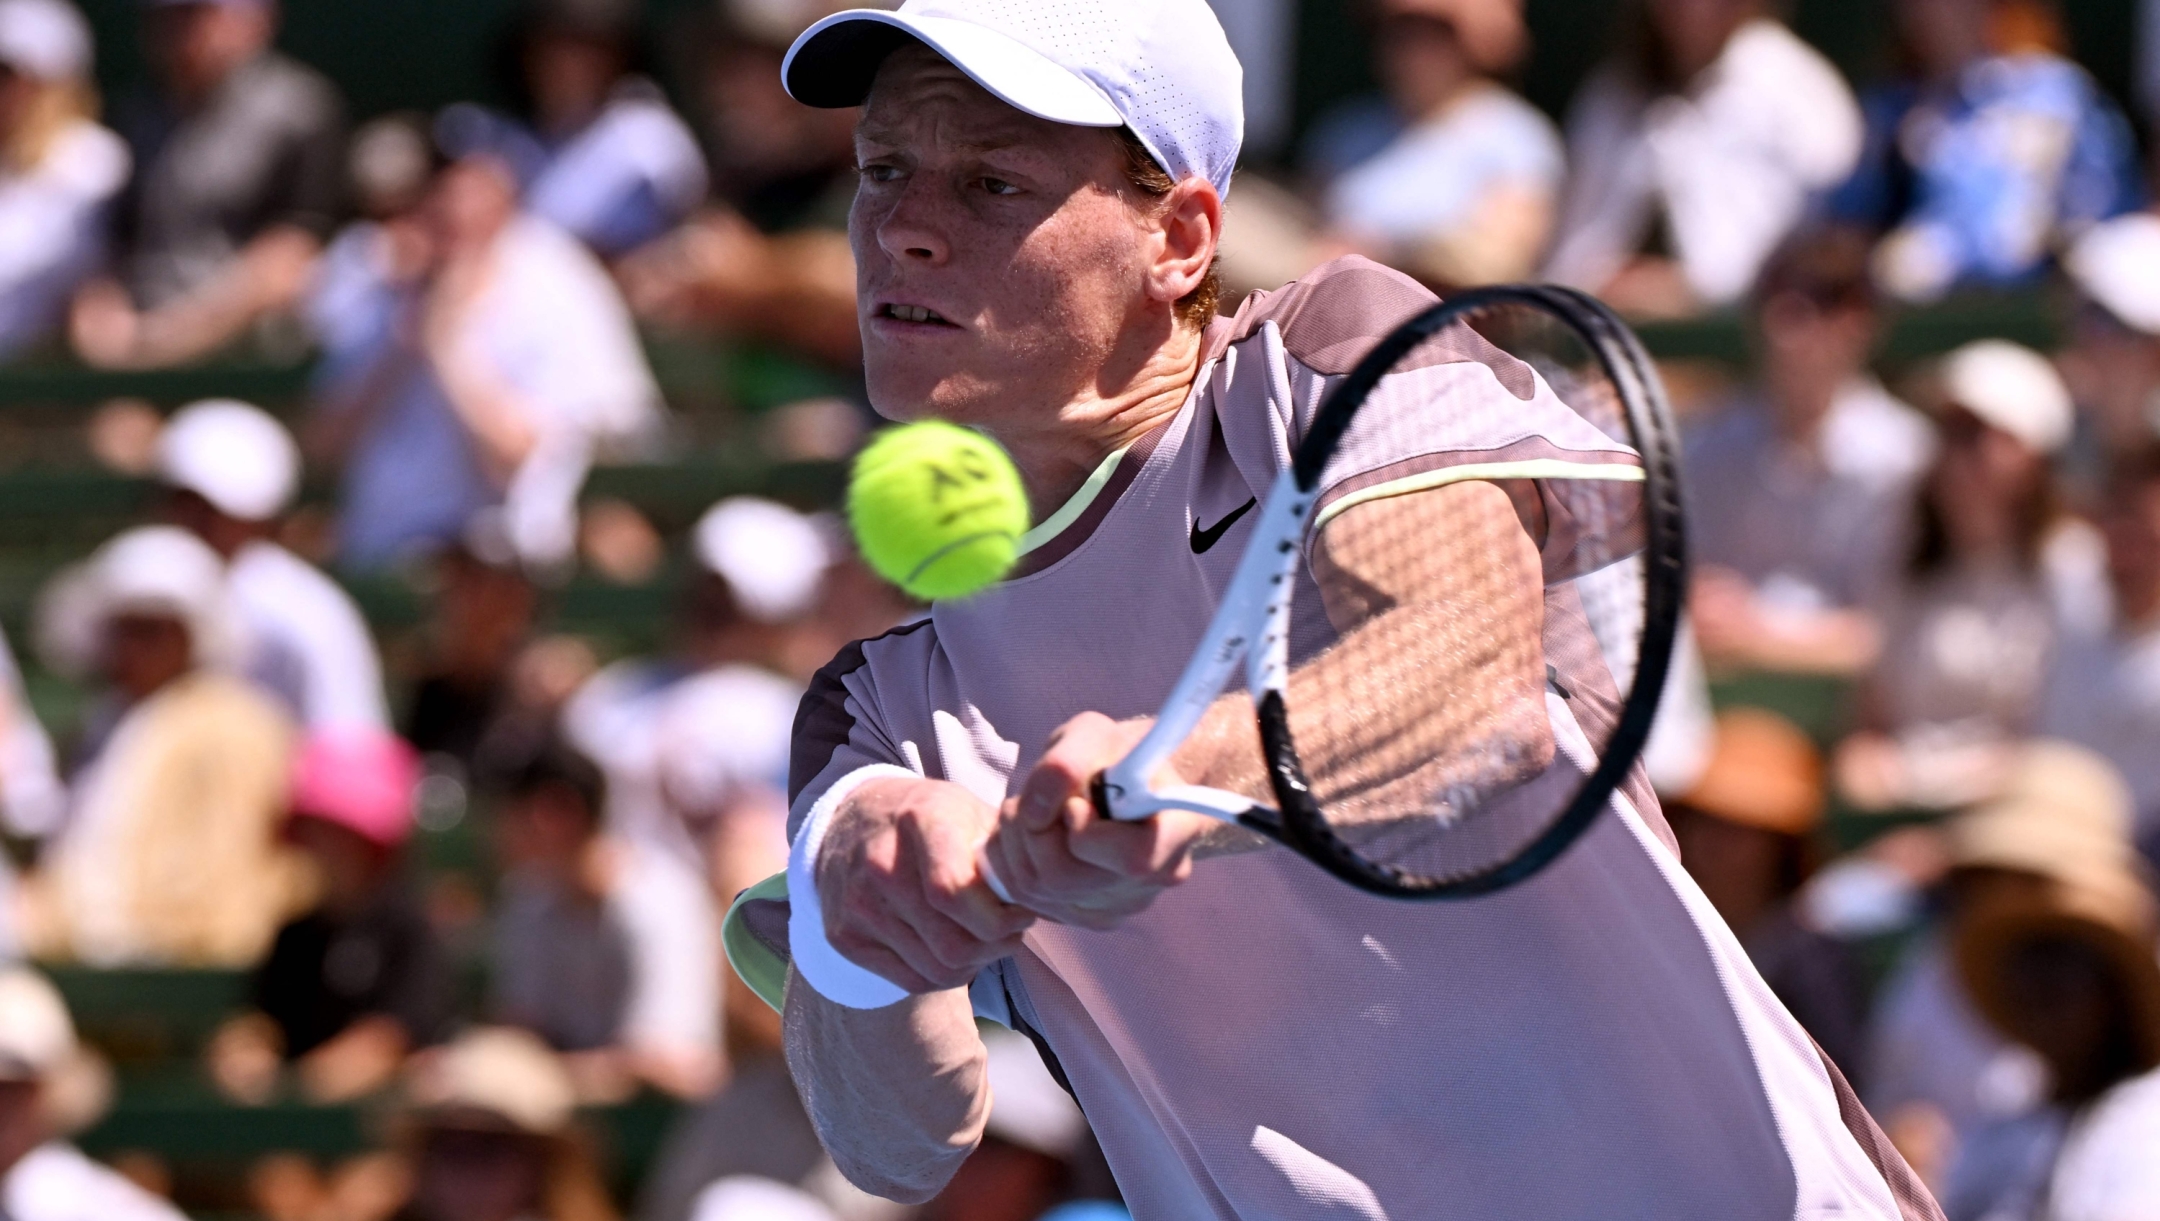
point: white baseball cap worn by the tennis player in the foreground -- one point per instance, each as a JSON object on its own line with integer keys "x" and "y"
{"x": 1161, "y": 68}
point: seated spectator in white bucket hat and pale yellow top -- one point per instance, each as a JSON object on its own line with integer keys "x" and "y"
{"x": 189, "y": 766}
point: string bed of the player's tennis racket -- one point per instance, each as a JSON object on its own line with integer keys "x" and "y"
{"x": 1427, "y": 729}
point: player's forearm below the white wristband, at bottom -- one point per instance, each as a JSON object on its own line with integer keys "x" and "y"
{"x": 897, "y": 1095}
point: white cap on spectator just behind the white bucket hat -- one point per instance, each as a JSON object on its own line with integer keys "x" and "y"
{"x": 232, "y": 455}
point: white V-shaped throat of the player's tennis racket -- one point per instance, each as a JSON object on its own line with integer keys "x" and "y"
{"x": 1250, "y": 626}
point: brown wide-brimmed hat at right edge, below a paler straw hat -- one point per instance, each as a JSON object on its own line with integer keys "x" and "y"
{"x": 2118, "y": 922}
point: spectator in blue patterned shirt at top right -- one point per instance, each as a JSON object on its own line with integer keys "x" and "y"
{"x": 1995, "y": 155}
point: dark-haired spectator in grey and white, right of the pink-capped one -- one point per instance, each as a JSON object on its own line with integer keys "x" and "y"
{"x": 604, "y": 948}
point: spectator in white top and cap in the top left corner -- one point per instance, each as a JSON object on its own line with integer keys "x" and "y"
{"x": 59, "y": 170}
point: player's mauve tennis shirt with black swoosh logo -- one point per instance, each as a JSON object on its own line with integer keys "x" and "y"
{"x": 1269, "y": 1045}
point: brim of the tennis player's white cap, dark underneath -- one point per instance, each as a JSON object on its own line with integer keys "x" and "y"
{"x": 835, "y": 62}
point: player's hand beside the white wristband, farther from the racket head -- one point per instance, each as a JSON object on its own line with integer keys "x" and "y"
{"x": 900, "y": 885}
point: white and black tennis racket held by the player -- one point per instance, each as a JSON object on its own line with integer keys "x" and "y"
{"x": 1388, "y": 755}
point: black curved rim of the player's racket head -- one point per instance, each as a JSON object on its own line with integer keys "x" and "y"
{"x": 1623, "y": 360}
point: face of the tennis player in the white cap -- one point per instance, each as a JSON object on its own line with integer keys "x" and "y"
{"x": 999, "y": 258}
